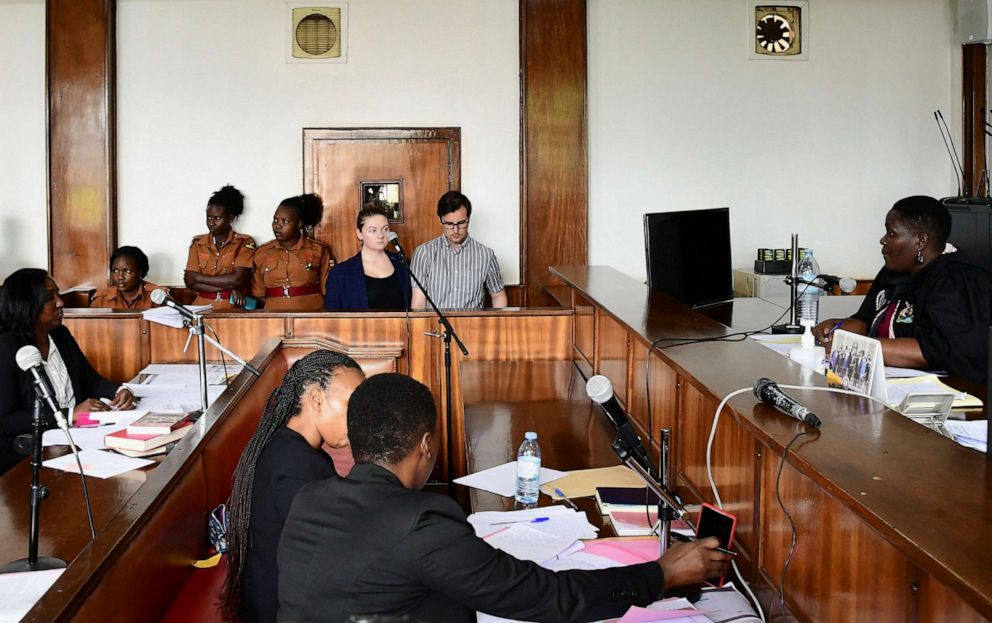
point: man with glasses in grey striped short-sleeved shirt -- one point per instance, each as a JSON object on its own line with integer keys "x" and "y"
{"x": 453, "y": 267}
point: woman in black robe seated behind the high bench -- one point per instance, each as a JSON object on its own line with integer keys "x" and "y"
{"x": 930, "y": 306}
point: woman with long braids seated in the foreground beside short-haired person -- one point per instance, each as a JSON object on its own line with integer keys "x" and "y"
{"x": 309, "y": 409}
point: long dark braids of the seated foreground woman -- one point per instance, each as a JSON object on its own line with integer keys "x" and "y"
{"x": 317, "y": 368}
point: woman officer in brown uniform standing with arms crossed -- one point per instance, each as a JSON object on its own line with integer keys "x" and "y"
{"x": 220, "y": 261}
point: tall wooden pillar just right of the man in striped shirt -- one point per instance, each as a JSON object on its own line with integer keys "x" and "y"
{"x": 553, "y": 161}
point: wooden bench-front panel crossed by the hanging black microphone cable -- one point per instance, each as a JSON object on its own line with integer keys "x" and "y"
{"x": 877, "y": 579}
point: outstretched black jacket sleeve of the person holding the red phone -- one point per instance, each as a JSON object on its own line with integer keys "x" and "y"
{"x": 450, "y": 559}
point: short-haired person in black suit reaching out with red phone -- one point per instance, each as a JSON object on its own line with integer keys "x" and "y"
{"x": 373, "y": 543}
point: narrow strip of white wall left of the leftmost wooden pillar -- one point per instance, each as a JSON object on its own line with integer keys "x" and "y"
{"x": 23, "y": 211}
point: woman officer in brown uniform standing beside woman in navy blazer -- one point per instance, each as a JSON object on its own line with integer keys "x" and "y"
{"x": 291, "y": 270}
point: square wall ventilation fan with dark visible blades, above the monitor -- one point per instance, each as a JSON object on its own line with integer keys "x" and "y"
{"x": 778, "y": 30}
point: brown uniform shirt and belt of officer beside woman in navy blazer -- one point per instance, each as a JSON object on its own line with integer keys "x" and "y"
{"x": 306, "y": 264}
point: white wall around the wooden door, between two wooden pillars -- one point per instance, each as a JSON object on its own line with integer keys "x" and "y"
{"x": 206, "y": 98}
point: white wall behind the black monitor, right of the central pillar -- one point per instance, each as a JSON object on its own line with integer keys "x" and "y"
{"x": 679, "y": 118}
